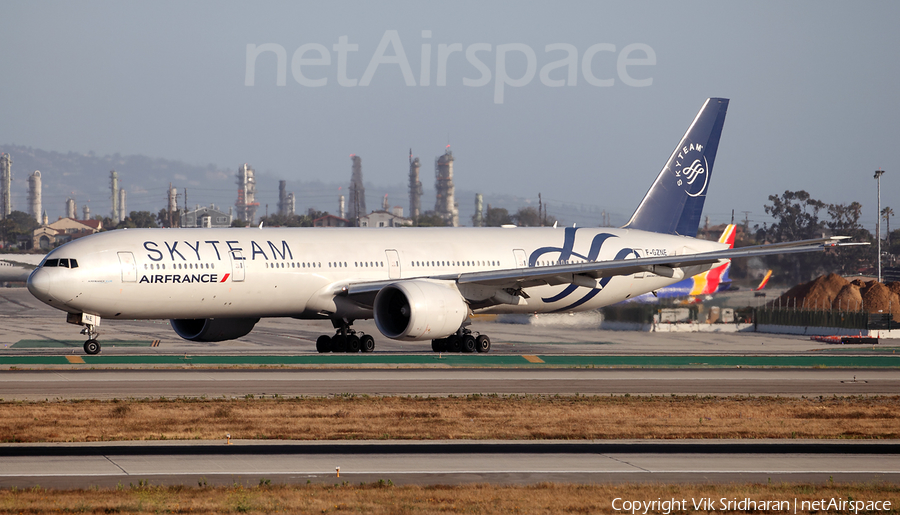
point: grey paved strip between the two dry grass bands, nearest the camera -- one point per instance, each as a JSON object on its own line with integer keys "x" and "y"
{"x": 81, "y": 466}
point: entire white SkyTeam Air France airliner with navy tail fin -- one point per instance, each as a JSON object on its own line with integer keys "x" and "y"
{"x": 417, "y": 283}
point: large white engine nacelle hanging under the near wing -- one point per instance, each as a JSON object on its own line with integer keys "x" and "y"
{"x": 419, "y": 310}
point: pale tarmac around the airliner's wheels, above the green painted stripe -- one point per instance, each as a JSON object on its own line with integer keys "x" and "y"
{"x": 32, "y": 328}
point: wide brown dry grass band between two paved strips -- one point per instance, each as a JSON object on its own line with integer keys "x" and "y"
{"x": 471, "y": 417}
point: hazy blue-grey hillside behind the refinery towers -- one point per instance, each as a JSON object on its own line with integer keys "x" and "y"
{"x": 85, "y": 177}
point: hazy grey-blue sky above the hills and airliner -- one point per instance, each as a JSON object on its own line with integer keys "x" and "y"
{"x": 814, "y": 89}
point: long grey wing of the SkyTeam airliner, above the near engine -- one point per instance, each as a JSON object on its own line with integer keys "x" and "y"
{"x": 588, "y": 274}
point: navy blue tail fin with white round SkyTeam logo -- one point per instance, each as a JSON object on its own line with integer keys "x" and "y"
{"x": 675, "y": 201}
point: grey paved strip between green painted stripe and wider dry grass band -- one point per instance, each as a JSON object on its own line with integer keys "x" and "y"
{"x": 139, "y": 384}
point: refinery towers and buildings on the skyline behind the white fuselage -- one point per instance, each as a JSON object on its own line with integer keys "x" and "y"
{"x": 351, "y": 208}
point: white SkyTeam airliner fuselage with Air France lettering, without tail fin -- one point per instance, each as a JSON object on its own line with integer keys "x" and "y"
{"x": 294, "y": 272}
